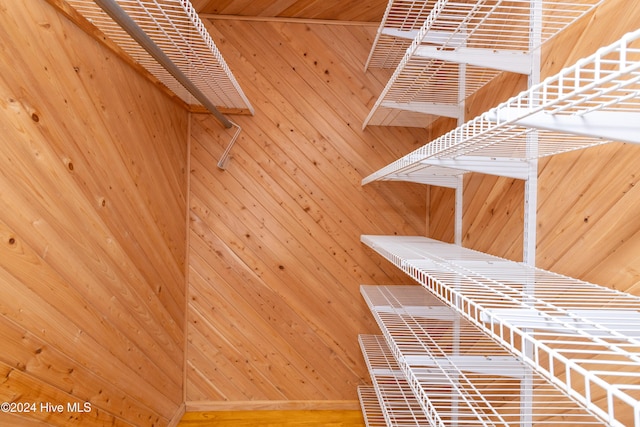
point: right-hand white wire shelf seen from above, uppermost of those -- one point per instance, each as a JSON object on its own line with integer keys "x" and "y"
{"x": 582, "y": 337}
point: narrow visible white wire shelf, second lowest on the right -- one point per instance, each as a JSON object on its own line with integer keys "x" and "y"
{"x": 397, "y": 405}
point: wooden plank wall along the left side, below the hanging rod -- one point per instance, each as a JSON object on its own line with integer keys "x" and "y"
{"x": 93, "y": 187}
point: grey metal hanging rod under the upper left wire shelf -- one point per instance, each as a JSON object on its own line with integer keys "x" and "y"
{"x": 113, "y": 9}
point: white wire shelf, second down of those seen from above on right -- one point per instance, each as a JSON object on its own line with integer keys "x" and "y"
{"x": 460, "y": 373}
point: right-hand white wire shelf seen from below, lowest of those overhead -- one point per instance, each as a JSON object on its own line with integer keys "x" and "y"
{"x": 593, "y": 102}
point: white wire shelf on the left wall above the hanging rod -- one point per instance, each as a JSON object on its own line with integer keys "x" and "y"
{"x": 176, "y": 29}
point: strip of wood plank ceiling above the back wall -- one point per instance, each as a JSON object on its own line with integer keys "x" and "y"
{"x": 340, "y": 10}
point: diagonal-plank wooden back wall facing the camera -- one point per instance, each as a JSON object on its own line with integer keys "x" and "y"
{"x": 276, "y": 262}
